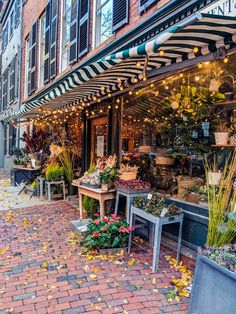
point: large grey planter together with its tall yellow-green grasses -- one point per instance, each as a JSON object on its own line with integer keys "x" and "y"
{"x": 214, "y": 285}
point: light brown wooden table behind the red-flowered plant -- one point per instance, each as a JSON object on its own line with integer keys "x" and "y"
{"x": 98, "y": 194}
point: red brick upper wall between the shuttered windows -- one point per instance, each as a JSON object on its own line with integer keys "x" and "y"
{"x": 33, "y": 9}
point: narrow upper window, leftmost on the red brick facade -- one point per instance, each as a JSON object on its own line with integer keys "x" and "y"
{"x": 42, "y": 25}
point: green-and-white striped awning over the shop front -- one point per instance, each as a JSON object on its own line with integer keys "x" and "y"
{"x": 198, "y": 35}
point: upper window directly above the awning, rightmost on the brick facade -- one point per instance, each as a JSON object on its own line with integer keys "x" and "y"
{"x": 103, "y": 21}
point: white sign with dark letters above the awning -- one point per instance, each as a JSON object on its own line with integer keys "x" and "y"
{"x": 222, "y": 7}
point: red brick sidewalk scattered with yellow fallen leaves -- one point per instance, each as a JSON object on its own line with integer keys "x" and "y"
{"x": 42, "y": 271}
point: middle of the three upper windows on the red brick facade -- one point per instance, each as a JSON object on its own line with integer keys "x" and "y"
{"x": 65, "y": 36}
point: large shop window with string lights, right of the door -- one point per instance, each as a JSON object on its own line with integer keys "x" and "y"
{"x": 169, "y": 126}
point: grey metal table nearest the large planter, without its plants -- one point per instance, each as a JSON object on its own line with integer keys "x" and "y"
{"x": 158, "y": 223}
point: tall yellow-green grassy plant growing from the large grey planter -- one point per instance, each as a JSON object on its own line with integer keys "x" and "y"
{"x": 222, "y": 214}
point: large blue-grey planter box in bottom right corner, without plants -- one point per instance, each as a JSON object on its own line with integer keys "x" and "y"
{"x": 214, "y": 289}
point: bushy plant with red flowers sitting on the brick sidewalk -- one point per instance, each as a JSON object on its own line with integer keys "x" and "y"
{"x": 108, "y": 236}
